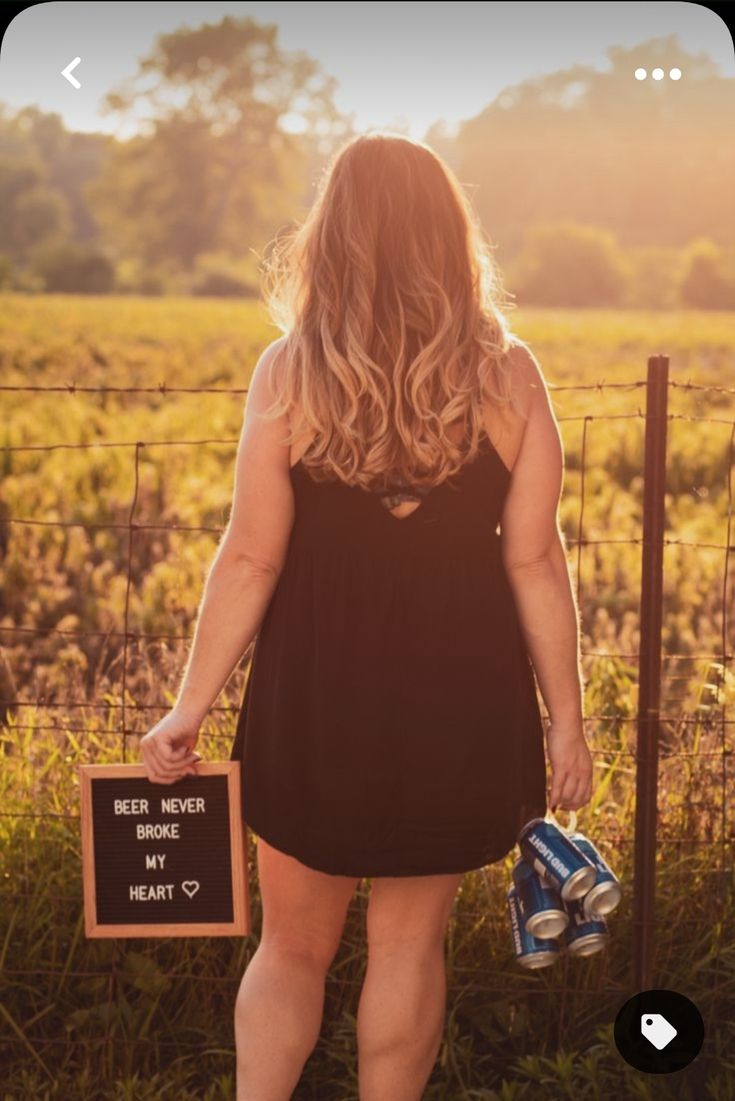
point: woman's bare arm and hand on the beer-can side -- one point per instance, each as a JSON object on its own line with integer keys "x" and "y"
{"x": 534, "y": 555}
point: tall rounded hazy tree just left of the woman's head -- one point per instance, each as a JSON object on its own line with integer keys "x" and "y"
{"x": 218, "y": 166}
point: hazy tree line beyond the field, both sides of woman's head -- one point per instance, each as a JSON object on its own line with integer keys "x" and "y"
{"x": 595, "y": 189}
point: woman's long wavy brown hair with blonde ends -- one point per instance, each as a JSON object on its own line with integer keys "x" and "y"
{"x": 390, "y": 301}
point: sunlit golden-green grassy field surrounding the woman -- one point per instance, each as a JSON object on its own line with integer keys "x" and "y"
{"x": 144, "y": 1019}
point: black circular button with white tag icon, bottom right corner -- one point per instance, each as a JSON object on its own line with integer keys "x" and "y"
{"x": 660, "y": 1032}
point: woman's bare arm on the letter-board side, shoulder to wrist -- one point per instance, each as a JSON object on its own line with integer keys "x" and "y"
{"x": 250, "y": 558}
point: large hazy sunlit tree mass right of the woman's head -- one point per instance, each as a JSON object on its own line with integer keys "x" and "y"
{"x": 646, "y": 160}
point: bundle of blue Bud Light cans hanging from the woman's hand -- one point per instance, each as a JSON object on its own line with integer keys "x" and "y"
{"x": 562, "y": 892}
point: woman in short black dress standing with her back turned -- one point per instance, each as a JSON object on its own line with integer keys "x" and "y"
{"x": 391, "y": 727}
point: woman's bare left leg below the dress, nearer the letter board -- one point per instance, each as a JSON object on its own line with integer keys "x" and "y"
{"x": 280, "y": 1004}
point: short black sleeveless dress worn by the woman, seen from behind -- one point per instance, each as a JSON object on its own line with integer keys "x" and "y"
{"x": 390, "y": 725}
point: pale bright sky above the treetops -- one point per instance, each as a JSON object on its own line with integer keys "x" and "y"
{"x": 397, "y": 64}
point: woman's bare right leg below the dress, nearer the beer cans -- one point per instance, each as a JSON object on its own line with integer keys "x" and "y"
{"x": 401, "y": 1016}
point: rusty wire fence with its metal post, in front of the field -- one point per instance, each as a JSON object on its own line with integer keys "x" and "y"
{"x": 662, "y": 733}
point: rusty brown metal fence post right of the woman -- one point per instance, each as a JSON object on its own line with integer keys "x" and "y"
{"x": 650, "y": 672}
